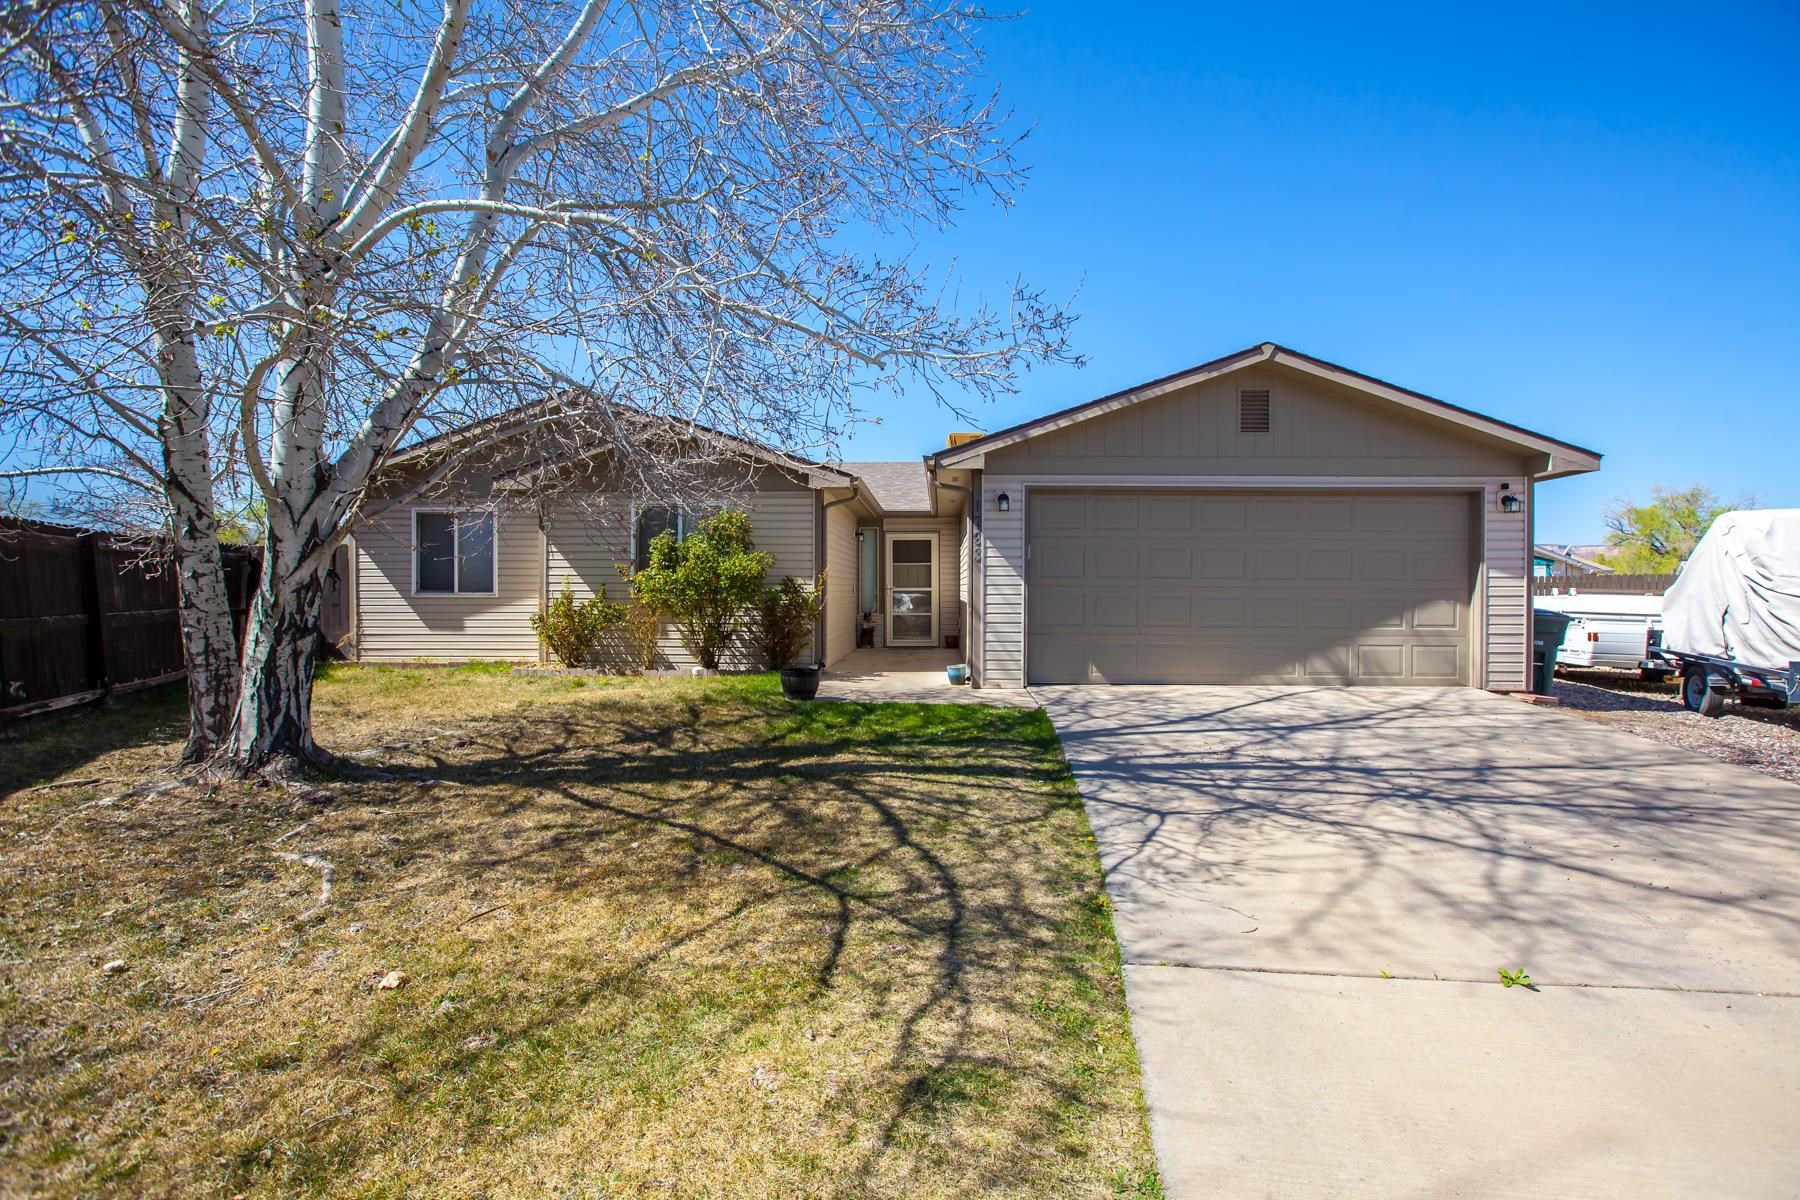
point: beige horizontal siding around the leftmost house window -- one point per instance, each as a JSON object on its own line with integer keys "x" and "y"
{"x": 393, "y": 625}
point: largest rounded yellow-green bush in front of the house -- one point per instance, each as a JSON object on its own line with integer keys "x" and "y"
{"x": 705, "y": 582}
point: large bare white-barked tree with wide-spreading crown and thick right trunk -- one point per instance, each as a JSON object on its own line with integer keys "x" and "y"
{"x": 341, "y": 228}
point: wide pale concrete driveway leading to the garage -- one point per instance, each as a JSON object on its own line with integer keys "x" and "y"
{"x": 1273, "y": 852}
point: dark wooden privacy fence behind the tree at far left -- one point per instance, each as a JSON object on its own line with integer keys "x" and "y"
{"x": 91, "y": 614}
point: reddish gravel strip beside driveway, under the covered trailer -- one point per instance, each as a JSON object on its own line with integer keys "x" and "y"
{"x": 1767, "y": 740}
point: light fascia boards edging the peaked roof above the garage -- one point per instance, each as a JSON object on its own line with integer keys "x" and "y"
{"x": 1565, "y": 458}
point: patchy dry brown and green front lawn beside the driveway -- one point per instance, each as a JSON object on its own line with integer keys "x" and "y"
{"x": 663, "y": 940}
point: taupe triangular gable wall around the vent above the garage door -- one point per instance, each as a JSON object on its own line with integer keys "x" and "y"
{"x": 1317, "y": 429}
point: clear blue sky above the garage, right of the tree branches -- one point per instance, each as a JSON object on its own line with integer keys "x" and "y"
{"x": 1578, "y": 219}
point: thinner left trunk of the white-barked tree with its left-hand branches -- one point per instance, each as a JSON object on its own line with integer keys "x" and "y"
{"x": 105, "y": 165}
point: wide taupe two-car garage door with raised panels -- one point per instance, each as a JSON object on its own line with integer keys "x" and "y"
{"x": 1158, "y": 587}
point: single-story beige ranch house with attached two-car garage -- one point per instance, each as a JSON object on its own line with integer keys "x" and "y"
{"x": 1259, "y": 519}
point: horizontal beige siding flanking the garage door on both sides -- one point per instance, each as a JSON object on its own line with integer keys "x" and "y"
{"x": 1504, "y": 602}
